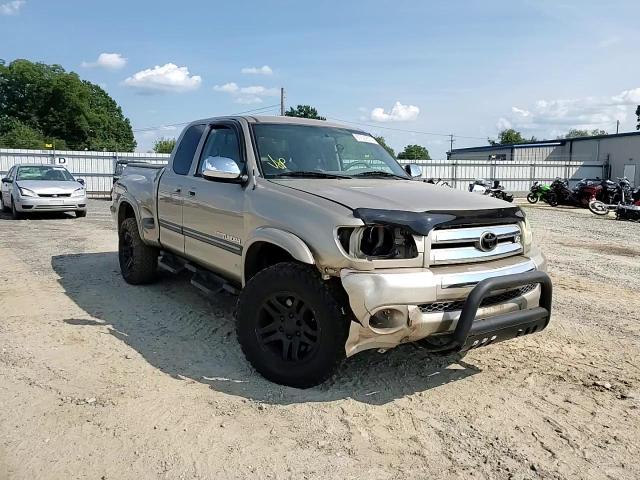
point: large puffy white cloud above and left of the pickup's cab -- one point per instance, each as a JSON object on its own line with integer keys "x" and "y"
{"x": 167, "y": 78}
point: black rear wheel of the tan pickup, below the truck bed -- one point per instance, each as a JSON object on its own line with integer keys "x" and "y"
{"x": 138, "y": 261}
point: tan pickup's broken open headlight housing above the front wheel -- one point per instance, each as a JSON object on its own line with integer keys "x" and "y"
{"x": 377, "y": 242}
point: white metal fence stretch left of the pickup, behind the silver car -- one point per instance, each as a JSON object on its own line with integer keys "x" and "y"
{"x": 96, "y": 168}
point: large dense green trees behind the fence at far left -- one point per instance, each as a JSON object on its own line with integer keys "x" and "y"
{"x": 61, "y": 106}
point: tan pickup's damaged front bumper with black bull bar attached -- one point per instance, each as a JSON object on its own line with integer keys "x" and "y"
{"x": 452, "y": 309}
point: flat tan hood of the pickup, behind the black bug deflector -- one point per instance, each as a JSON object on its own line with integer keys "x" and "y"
{"x": 387, "y": 194}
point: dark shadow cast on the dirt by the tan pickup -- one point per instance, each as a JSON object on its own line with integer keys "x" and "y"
{"x": 187, "y": 336}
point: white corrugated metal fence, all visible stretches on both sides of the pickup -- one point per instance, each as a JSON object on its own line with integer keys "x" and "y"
{"x": 97, "y": 168}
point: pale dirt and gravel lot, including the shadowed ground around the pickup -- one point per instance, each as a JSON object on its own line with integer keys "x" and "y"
{"x": 101, "y": 380}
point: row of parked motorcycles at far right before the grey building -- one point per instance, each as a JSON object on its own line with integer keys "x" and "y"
{"x": 599, "y": 196}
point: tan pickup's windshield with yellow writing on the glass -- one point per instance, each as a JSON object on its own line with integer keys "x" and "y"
{"x": 297, "y": 150}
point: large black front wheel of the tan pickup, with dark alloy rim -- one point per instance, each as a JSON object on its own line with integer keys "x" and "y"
{"x": 292, "y": 326}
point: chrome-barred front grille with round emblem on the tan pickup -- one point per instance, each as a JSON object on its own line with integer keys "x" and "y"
{"x": 474, "y": 244}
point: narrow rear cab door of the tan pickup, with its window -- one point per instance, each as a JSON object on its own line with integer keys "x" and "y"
{"x": 171, "y": 189}
